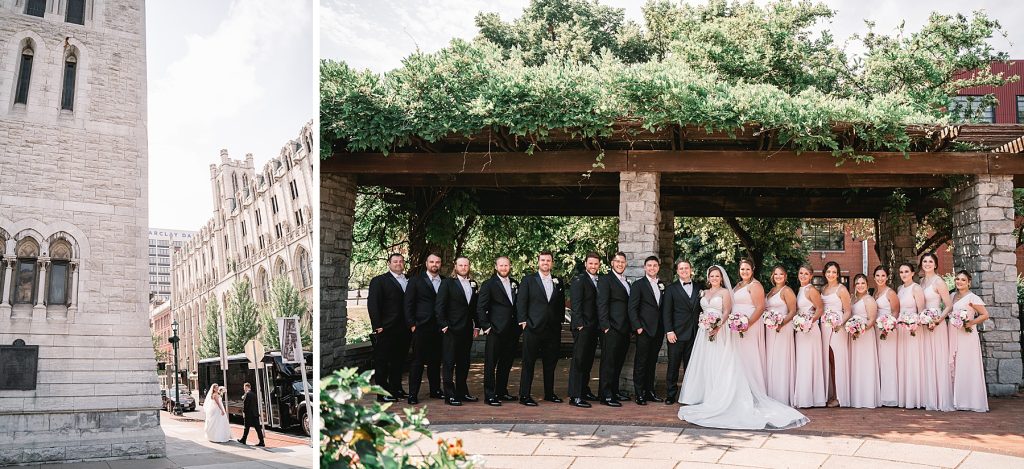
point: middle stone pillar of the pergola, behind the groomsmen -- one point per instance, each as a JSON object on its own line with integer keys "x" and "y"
{"x": 639, "y": 230}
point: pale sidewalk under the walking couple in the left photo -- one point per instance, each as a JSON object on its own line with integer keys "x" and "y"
{"x": 188, "y": 448}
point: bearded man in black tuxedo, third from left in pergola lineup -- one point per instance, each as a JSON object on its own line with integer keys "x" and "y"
{"x": 456, "y": 310}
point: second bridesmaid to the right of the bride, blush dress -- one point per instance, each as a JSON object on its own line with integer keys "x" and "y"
{"x": 779, "y": 343}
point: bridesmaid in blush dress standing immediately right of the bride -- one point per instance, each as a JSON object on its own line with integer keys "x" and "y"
{"x": 749, "y": 300}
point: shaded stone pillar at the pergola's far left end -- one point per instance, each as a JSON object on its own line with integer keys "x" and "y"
{"x": 337, "y": 218}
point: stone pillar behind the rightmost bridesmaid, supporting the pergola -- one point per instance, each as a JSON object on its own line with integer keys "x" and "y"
{"x": 984, "y": 244}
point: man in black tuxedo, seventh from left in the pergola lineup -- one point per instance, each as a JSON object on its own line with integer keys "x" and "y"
{"x": 613, "y": 303}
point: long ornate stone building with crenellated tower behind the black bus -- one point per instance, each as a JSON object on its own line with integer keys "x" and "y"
{"x": 262, "y": 229}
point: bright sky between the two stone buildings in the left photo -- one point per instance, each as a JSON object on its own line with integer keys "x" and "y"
{"x": 239, "y": 75}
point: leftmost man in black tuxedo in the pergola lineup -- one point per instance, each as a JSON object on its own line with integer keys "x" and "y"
{"x": 391, "y": 336}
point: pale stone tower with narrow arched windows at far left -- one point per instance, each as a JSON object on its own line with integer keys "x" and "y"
{"x": 73, "y": 234}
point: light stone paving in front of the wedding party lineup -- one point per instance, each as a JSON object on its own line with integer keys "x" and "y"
{"x": 574, "y": 446}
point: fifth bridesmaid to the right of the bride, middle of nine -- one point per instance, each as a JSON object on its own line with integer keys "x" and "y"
{"x": 864, "y": 350}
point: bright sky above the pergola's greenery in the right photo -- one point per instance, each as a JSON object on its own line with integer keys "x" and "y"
{"x": 377, "y": 34}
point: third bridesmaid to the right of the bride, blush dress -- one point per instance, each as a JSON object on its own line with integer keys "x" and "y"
{"x": 809, "y": 389}
